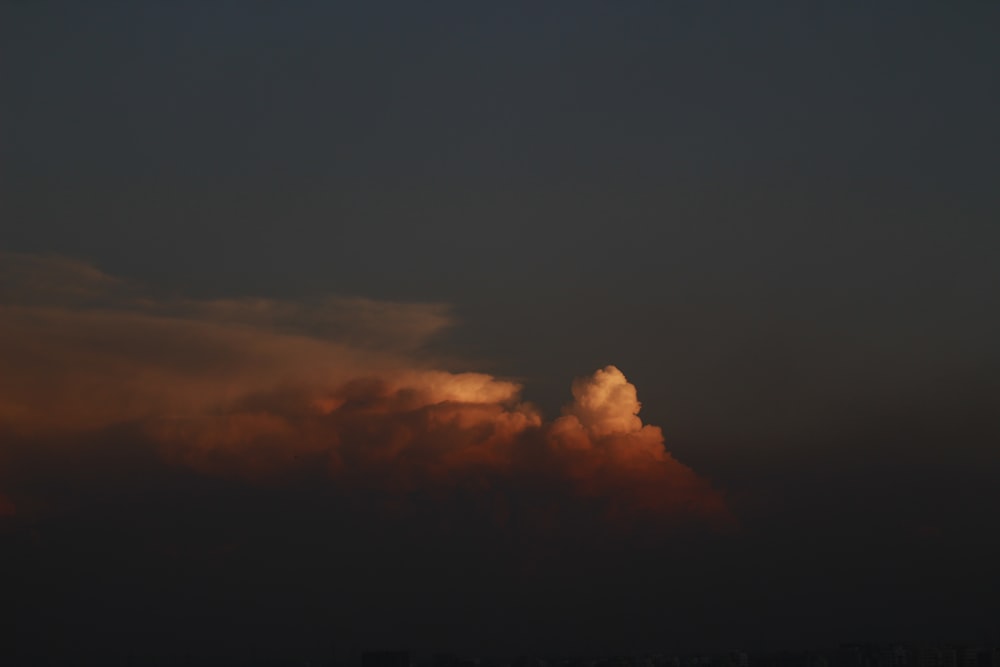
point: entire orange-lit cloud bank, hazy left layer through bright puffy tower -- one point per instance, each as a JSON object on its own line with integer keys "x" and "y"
{"x": 259, "y": 389}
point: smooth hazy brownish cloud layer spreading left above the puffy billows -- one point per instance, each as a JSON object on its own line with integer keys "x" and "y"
{"x": 81, "y": 353}
